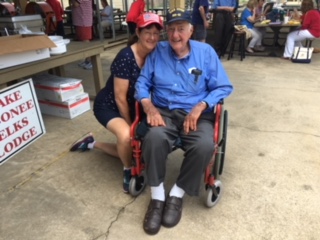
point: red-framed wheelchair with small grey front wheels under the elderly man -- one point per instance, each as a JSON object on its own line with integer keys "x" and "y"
{"x": 214, "y": 169}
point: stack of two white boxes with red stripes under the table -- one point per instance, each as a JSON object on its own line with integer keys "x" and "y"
{"x": 59, "y": 96}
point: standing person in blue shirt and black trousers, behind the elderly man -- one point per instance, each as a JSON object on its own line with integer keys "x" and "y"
{"x": 223, "y": 24}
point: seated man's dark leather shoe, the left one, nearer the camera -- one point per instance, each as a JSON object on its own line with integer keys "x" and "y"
{"x": 152, "y": 219}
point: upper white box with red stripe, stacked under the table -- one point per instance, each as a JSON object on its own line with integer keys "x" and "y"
{"x": 55, "y": 88}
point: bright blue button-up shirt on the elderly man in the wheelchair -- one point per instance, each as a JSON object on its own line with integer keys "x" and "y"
{"x": 169, "y": 82}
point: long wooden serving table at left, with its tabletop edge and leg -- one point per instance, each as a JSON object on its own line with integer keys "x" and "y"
{"x": 76, "y": 51}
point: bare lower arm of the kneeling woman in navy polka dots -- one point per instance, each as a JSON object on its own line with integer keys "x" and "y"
{"x": 120, "y": 93}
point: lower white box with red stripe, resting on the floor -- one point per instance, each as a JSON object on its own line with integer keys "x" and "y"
{"x": 68, "y": 109}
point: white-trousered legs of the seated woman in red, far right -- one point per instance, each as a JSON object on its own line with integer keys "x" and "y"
{"x": 294, "y": 39}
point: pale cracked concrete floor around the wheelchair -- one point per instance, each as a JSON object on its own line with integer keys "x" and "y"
{"x": 271, "y": 176}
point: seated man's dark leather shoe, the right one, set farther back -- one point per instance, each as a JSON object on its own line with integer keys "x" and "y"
{"x": 172, "y": 212}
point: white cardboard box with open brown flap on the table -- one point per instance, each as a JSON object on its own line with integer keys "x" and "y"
{"x": 17, "y": 49}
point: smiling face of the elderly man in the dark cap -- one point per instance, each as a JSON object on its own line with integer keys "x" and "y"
{"x": 179, "y": 34}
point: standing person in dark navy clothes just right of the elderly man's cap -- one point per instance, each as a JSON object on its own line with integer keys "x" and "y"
{"x": 199, "y": 20}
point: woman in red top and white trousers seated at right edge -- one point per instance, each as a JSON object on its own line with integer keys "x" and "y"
{"x": 310, "y": 28}
